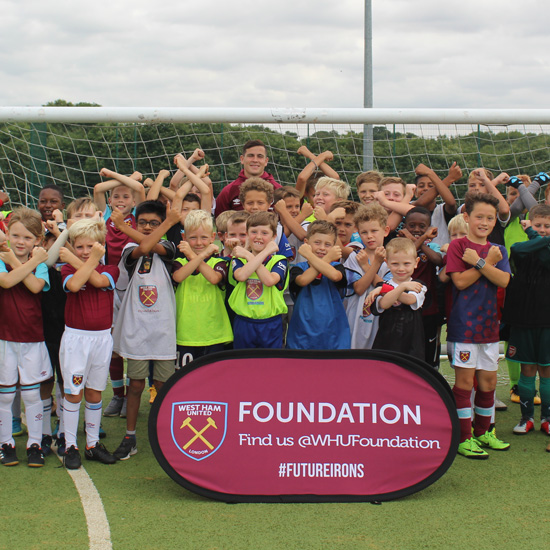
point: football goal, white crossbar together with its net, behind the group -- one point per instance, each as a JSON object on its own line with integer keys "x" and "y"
{"x": 69, "y": 145}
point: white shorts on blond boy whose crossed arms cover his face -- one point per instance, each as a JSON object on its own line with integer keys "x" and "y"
{"x": 85, "y": 356}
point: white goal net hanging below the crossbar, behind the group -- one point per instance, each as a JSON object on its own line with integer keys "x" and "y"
{"x": 71, "y": 153}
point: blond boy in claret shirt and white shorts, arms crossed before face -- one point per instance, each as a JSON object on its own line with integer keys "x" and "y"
{"x": 87, "y": 345}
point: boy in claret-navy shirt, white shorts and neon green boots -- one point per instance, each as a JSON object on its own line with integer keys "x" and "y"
{"x": 477, "y": 268}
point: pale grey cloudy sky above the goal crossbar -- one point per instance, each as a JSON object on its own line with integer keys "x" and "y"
{"x": 259, "y": 53}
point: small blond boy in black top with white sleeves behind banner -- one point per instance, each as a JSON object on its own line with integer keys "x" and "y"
{"x": 399, "y": 302}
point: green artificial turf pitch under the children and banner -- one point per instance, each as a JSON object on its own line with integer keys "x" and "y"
{"x": 498, "y": 503}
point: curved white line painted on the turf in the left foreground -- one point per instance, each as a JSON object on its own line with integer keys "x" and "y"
{"x": 99, "y": 532}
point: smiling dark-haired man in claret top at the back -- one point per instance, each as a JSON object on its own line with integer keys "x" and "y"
{"x": 254, "y": 160}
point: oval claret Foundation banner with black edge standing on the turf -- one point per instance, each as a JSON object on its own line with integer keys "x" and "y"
{"x": 305, "y": 426}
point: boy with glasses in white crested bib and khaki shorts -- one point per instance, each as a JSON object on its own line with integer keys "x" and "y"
{"x": 145, "y": 329}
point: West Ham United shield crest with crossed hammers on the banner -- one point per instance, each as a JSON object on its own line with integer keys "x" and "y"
{"x": 199, "y": 427}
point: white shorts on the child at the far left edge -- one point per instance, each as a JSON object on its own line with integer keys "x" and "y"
{"x": 26, "y": 362}
